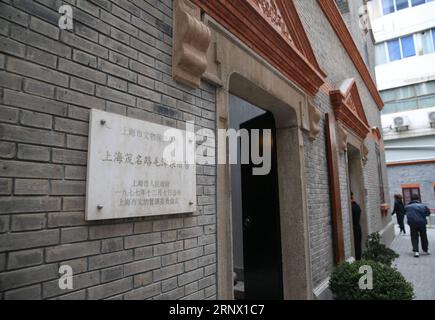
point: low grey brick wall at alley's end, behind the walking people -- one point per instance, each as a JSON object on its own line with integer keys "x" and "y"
{"x": 423, "y": 174}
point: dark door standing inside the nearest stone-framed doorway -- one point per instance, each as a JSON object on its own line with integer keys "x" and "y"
{"x": 261, "y": 222}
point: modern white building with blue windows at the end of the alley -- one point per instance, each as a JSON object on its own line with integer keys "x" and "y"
{"x": 404, "y": 32}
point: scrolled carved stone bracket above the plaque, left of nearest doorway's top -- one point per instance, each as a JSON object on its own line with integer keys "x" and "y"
{"x": 191, "y": 41}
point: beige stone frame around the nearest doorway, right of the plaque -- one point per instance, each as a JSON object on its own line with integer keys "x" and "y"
{"x": 236, "y": 69}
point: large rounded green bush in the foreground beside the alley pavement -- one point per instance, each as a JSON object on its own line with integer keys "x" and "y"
{"x": 388, "y": 283}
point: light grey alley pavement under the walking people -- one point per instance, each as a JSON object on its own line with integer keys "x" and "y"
{"x": 419, "y": 271}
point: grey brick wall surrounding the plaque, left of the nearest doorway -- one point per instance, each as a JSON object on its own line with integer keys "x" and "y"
{"x": 118, "y": 59}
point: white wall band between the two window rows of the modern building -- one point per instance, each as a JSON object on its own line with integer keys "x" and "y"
{"x": 405, "y": 72}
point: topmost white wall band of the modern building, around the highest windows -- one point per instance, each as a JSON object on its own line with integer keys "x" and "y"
{"x": 402, "y": 22}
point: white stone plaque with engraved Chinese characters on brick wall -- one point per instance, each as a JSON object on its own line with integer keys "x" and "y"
{"x": 130, "y": 173}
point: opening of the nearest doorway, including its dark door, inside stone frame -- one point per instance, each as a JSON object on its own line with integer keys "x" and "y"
{"x": 256, "y": 232}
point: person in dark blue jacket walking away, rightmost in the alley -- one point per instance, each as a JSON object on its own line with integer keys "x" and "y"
{"x": 416, "y": 214}
